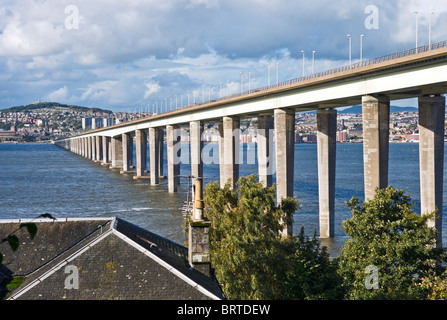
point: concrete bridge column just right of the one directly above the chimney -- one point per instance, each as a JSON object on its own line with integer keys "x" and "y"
{"x": 230, "y": 152}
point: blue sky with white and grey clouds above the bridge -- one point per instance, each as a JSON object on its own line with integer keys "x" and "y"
{"x": 130, "y": 56}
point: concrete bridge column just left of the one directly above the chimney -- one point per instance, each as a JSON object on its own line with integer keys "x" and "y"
{"x": 173, "y": 146}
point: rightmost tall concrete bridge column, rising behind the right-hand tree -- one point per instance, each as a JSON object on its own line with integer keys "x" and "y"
{"x": 431, "y": 158}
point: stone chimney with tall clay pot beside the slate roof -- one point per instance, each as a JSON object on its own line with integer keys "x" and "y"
{"x": 198, "y": 249}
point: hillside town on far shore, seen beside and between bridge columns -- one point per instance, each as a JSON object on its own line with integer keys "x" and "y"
{"x": 46, "y": 121}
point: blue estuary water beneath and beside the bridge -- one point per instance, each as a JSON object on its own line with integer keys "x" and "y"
{"x": 36, "y": 179}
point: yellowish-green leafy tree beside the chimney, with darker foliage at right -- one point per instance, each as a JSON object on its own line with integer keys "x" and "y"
{"x": 250, "y": 256}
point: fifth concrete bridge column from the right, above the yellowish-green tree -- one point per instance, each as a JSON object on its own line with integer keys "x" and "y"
{"x": 265, "y": 149}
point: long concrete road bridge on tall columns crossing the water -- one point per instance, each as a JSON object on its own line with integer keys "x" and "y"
{"x": 417, "y": 73}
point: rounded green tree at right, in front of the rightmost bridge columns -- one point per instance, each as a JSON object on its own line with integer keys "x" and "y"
{"x": 386, "y": 234}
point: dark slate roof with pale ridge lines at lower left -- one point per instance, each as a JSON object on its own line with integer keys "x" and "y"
{"x": 108, "y": 258}
